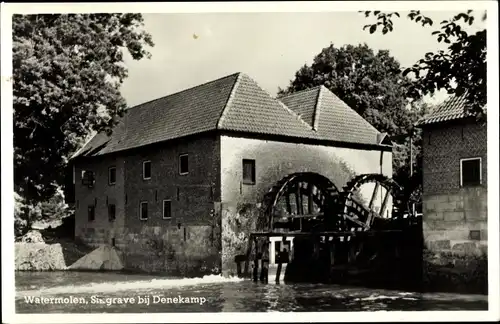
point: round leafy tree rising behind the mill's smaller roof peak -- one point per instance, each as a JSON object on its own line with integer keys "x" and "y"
{"x": 373, "y": 85}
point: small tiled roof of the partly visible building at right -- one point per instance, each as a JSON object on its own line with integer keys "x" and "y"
{"x": 451, "y": 109}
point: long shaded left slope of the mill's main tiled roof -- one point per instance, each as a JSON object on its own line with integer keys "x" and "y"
{"x": 188, "y": 112}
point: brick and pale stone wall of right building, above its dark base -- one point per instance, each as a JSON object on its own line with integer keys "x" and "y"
{"x": 450, "y": 211}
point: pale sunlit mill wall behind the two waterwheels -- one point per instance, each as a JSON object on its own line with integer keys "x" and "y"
{"x": 273, "y": 161}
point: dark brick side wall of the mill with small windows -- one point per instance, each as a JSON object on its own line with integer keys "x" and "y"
{"x": 184, "y": 243}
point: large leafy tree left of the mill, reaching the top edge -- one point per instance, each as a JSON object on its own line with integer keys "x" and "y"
{"x": 67, "y": 72}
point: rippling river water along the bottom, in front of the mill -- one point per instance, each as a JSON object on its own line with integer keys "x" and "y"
{"x": 90, "y": 292}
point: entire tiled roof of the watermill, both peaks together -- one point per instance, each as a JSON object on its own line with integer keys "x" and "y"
{"x": 234, "y": 103}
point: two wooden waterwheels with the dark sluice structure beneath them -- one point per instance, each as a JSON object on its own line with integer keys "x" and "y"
{"x": 338, "y": 236}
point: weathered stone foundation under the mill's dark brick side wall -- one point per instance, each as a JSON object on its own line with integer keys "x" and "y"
{"x": 184, "y": 250}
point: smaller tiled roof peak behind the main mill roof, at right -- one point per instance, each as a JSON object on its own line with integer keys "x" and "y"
{"x": 332, "y": 118}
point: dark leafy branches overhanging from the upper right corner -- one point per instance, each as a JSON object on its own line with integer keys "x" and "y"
{"x": 461, "y": 70}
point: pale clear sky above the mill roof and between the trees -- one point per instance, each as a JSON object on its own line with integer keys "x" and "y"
{"x": 193, "y": 48}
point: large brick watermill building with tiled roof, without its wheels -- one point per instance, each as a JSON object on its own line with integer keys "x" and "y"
{"x": 181, "y": 179}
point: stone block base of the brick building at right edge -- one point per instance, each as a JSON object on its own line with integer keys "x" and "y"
{"x": 455, "y": 235}
